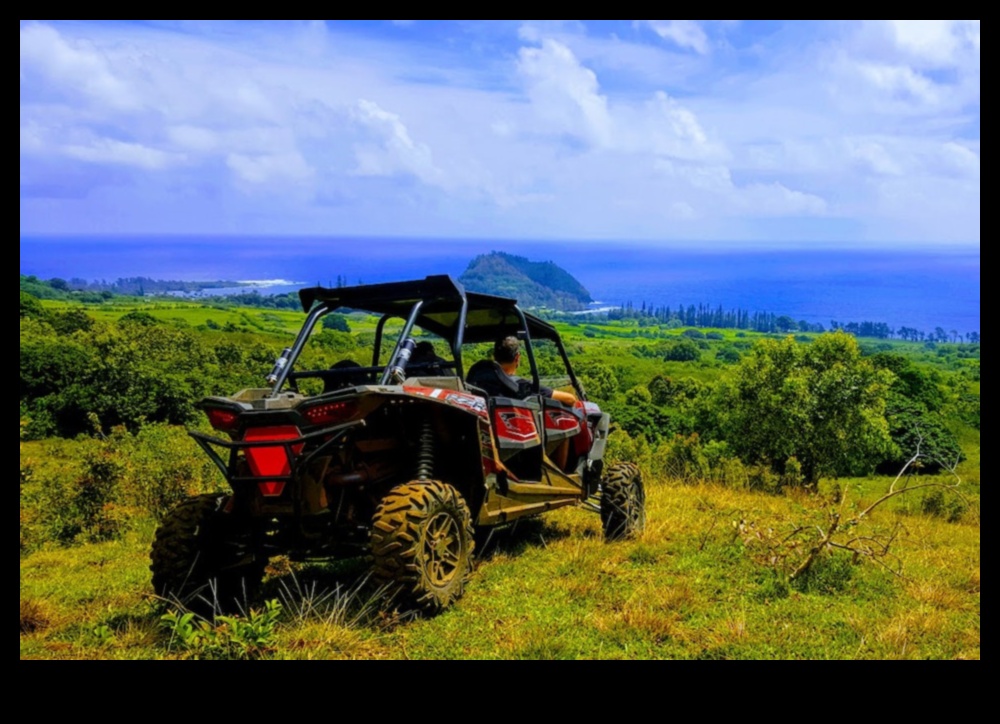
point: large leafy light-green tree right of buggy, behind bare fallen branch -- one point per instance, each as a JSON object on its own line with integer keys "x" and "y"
{"x": 821, "y": 403}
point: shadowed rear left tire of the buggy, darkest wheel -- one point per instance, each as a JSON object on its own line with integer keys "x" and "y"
{"x": 196, "y": 564}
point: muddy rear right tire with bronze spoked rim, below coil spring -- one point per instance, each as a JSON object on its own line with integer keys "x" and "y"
{"x": 422, "y": 545}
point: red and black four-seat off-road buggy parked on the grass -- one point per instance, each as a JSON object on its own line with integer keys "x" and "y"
{"x": 401, "y": 460}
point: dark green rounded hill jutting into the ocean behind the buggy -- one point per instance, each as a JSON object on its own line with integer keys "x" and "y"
{"x": 532, "y": 283}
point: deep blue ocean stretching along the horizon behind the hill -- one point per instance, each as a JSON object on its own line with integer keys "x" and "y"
{"x": 916, "y": 287}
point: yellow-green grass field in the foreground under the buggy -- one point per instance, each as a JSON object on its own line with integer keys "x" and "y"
{"x": 692, "y": 586}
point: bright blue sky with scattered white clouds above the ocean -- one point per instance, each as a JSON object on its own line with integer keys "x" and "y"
{"x": 833, "y": 132}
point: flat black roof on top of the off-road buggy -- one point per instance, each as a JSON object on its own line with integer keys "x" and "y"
{"x": 487, "y": 317}
